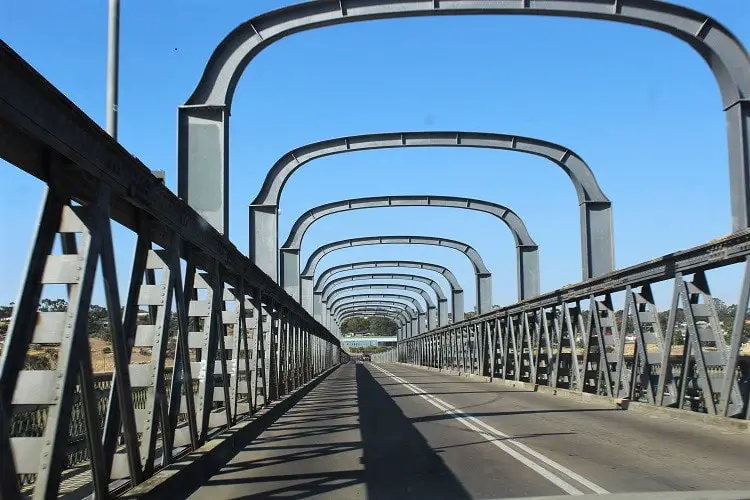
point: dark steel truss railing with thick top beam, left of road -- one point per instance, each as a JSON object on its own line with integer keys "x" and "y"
{"x": 241, "y": 342}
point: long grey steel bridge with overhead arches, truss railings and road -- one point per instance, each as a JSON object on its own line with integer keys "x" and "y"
{"x": 229, "y": 377}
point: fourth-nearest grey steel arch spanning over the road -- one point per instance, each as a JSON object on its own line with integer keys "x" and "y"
{"x": 483, "y": 275}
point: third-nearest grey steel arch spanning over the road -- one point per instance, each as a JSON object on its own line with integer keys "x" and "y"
{"x": 527, "y": 250}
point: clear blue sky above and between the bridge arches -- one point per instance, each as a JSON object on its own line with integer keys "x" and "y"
{"x": 639, "y": 106}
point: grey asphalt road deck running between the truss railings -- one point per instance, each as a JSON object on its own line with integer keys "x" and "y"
{"x": 392, "y": 432}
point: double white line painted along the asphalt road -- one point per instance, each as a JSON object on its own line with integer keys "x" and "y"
{"x": 480, "y": 427}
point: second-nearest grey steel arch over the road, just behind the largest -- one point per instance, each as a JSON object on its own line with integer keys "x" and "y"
{"x": 597, "y": 243}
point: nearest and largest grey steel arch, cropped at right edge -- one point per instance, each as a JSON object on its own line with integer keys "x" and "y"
{"x": 203, "y": 125}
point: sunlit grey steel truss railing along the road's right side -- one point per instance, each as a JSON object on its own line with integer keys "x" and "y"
{"x": 571, "y": 338}
